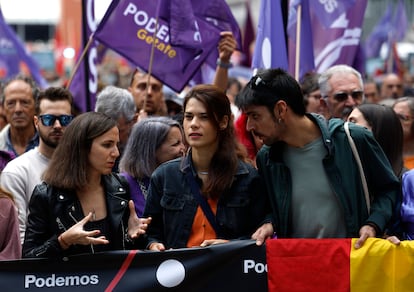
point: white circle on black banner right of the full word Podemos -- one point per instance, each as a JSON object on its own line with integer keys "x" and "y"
{"x": 170, "y": 273}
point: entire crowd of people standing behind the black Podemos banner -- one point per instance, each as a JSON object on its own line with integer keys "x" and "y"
{"x": 229, "y": 160}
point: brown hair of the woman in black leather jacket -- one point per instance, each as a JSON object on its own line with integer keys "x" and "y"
{"x": 69, "y": 163}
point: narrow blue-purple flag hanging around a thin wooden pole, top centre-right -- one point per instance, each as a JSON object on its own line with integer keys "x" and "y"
{"x": 306, "y": 58}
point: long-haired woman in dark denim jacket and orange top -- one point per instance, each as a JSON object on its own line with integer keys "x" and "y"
{"x": 211, "y": 195}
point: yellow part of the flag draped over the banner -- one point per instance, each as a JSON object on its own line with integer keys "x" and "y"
{"x": 380, "y": 265}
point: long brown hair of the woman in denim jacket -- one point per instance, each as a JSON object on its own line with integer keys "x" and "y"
{"x": 223, "y": 165}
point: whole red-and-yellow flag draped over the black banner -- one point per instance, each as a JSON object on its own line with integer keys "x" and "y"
{"x": 335, "y": 265}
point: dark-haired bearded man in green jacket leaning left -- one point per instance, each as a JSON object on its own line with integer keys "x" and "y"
{"x": 310, "y": 172}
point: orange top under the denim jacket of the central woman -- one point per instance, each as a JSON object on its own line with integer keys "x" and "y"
{"x": 202, "y": 229}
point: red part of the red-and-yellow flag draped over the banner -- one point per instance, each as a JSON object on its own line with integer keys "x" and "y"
{"x": 308, "y": 264}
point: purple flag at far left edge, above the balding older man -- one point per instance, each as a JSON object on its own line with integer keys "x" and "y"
{"x": 13, "y": 53}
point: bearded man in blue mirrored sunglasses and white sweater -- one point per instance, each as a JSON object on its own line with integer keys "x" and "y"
{"x": 53, "y": 113}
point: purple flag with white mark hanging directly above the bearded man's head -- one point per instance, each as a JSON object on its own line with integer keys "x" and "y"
{"x": 270, "y": 49}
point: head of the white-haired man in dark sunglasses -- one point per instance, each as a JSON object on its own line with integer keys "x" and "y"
{"x": 342, "y": 89}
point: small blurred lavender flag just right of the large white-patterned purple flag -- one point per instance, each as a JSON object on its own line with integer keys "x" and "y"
{"x": 379, "y": 34}
